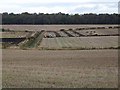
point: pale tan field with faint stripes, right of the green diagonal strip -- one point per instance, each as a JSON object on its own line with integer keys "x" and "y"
{"x": 79, "y": 42}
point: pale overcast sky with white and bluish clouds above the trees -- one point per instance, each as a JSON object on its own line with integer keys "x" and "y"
{"x": 55, "y": 6}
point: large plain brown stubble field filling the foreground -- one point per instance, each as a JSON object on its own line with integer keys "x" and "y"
{"x": 60, "y": 69}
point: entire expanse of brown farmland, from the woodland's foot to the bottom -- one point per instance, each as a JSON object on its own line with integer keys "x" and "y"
{"x": 60, "y": 56}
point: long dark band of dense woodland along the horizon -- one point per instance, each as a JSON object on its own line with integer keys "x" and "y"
{"x": 59, "y": 18}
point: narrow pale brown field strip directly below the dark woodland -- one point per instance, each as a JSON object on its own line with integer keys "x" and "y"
{"x": 49, "y": 27}
